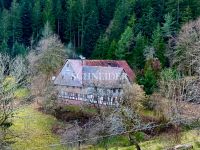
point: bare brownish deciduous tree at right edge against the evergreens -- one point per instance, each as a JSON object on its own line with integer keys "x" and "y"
{"x": 187, "y": 50}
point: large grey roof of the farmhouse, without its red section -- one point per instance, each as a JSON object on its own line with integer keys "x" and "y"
{"x": 77, "y": 73}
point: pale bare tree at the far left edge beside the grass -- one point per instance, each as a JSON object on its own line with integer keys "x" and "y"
{"x": 13, "y": 73}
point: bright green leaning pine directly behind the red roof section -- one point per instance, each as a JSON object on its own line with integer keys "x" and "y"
{"x": 124, "y": 43}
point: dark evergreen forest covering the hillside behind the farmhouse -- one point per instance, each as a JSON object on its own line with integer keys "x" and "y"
{"x": 97, "y": 29}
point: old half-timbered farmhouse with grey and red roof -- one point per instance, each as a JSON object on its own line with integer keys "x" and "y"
{"x": 93, "y": 81}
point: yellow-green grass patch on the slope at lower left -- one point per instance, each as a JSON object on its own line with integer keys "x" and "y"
{"x": 34, "y": 129}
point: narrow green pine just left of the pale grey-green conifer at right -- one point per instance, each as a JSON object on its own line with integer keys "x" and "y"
{"x": 159, "y": 45}
